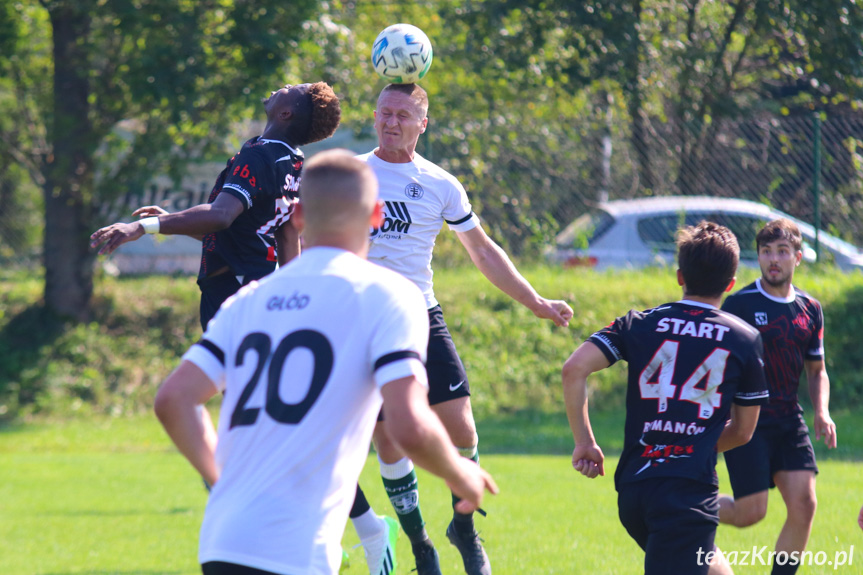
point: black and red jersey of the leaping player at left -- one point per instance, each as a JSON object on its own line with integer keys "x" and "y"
{"x": 265, "y": 176}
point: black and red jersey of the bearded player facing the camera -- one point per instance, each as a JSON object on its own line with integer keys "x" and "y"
{"x": 792, "y": 330}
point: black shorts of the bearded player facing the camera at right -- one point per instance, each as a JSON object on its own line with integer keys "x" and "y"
{"x": 782, "y": 445}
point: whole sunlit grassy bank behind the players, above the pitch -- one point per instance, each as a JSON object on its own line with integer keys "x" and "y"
{"x": 142, "y": 326}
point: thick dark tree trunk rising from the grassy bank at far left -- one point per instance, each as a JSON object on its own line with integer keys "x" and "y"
{"x": 68, "y": 168}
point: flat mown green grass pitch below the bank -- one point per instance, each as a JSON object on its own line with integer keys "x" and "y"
{"x": 111, "y": 496}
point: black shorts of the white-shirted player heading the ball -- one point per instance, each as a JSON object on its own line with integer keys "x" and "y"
{"x": 446, "y": 374}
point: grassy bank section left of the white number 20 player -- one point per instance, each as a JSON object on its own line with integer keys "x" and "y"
{"x": 112, "y": 364}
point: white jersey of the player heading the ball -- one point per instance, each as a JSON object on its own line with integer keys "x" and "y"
{"x": 418, "y": 198}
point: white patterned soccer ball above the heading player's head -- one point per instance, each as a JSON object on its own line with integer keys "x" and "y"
{"x": 402, "y": 54}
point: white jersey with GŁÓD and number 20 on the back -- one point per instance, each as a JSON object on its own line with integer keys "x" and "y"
{"x": 300, "y": 357}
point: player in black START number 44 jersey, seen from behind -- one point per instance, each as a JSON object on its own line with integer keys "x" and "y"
{"x": 695, "y": 386}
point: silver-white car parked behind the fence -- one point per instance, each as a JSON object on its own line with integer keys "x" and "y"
{"x": 638, "y": 233}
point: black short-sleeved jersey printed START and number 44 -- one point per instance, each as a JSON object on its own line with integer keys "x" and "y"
{"x": 688, "y": 362}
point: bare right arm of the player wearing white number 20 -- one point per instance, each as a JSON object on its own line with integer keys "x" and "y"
{"x": 418, "y": 432}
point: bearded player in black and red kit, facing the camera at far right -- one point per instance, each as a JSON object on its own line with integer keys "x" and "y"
{"x": 780, "y": 453}
